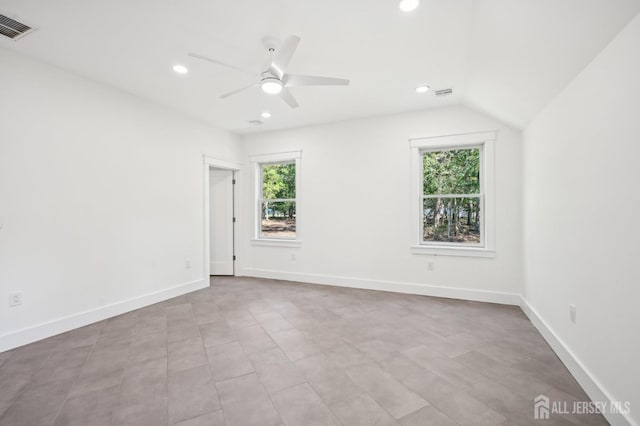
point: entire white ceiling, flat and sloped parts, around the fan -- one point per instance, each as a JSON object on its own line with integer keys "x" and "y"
{"x": 506, "y": 57}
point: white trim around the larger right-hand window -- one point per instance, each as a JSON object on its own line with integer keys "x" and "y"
{"x": 487, "y": 180}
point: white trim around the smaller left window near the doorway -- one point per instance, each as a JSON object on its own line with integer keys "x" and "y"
{"x": 257, "y": 161}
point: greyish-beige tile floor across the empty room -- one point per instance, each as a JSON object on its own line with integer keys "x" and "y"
{"x": 264, "y": 352}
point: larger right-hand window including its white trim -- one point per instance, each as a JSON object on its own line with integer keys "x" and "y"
{"x": 453, "y": 179}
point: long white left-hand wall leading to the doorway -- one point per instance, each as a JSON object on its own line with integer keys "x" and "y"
{"x": 101, "y": 196}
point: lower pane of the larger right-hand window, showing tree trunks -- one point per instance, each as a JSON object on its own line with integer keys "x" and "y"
{"x": 453, "y": 220}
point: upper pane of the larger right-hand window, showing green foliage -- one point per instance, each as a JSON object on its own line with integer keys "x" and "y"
{"x": 452, "y": 172}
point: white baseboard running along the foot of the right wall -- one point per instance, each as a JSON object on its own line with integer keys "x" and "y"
{"x": 580, "y": 372}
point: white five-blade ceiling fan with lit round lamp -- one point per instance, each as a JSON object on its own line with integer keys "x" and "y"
{"x": 274, "y": 80}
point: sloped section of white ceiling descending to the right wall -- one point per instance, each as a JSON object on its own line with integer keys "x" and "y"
{"x": 523, "y": 53}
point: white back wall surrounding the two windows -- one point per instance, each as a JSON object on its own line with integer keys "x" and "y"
{"x": 355, "y": 209}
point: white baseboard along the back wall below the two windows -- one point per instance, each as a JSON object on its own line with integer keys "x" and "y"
{"x": 392, "y": 286}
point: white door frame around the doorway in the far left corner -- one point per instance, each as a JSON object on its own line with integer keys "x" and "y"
{"x": 214, "y": 163}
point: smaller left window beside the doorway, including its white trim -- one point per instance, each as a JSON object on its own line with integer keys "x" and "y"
{"x": 277, "y": 186}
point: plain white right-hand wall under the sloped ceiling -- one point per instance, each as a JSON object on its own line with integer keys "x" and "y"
{"x": 581, "y": 233}
